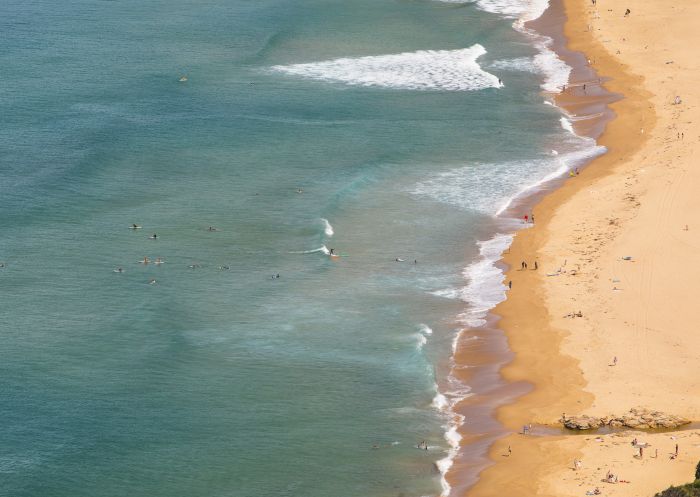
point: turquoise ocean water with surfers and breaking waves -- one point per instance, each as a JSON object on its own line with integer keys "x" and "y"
{"x": 375, "y": 127}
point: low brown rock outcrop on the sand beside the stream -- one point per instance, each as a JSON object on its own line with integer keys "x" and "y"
{"x": 638, "y": 418}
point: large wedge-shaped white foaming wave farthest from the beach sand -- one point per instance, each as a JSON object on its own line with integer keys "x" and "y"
{"x": 455, "y": 70}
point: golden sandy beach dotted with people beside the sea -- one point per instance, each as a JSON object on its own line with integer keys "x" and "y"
{"x": 617, "y": 249}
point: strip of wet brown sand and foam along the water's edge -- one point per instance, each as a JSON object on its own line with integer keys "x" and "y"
{"x": 481, "y": 348}
